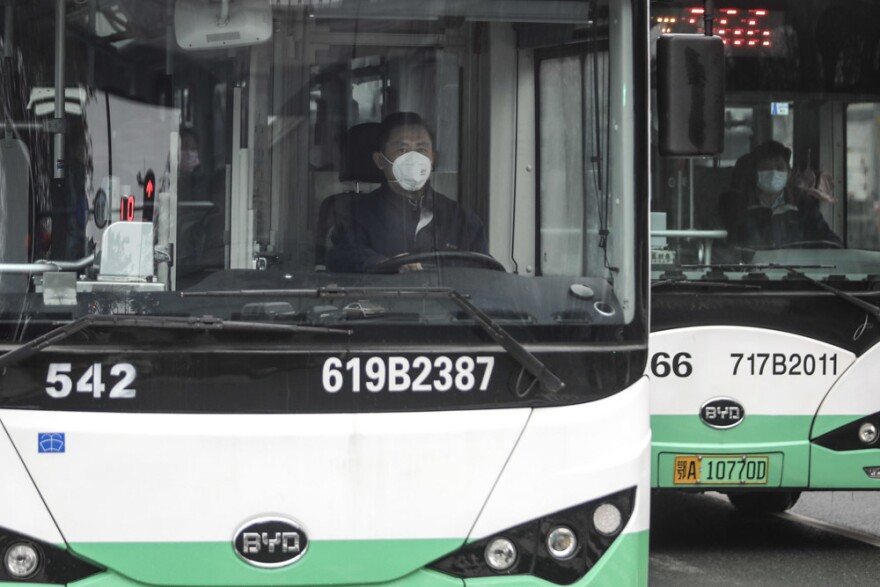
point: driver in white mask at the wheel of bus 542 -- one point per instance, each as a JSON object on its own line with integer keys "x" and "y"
{"x": 404, "y": 215}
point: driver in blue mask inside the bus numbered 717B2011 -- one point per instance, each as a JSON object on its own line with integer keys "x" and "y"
{"x": 765, "y": 210}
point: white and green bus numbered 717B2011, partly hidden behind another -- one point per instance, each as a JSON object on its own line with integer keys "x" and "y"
{"x": 765, "y": 320}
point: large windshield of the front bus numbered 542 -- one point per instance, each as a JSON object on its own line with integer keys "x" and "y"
{"x": 316, "y": 163}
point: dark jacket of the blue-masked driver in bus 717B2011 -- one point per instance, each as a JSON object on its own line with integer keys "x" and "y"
{"x": 793, "y": 218}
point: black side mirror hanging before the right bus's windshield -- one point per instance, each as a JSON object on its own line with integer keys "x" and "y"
{"x": 690, "y": 95}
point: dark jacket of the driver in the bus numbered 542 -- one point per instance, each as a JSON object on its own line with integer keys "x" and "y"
{"x": 383, "y": 224}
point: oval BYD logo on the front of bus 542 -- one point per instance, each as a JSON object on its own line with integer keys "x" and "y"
{"x": 270, "y": 542}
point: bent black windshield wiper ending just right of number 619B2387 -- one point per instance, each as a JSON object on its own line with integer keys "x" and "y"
{"x": 529, "y": 362}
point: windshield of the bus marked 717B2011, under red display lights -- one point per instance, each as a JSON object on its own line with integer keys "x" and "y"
{"x": 795, "y": 192}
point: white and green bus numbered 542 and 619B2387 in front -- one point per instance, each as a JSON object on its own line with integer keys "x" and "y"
{"x": 216, "y": 369}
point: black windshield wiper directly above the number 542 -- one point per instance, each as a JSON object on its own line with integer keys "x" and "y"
{"x": 64, "y": 331}
